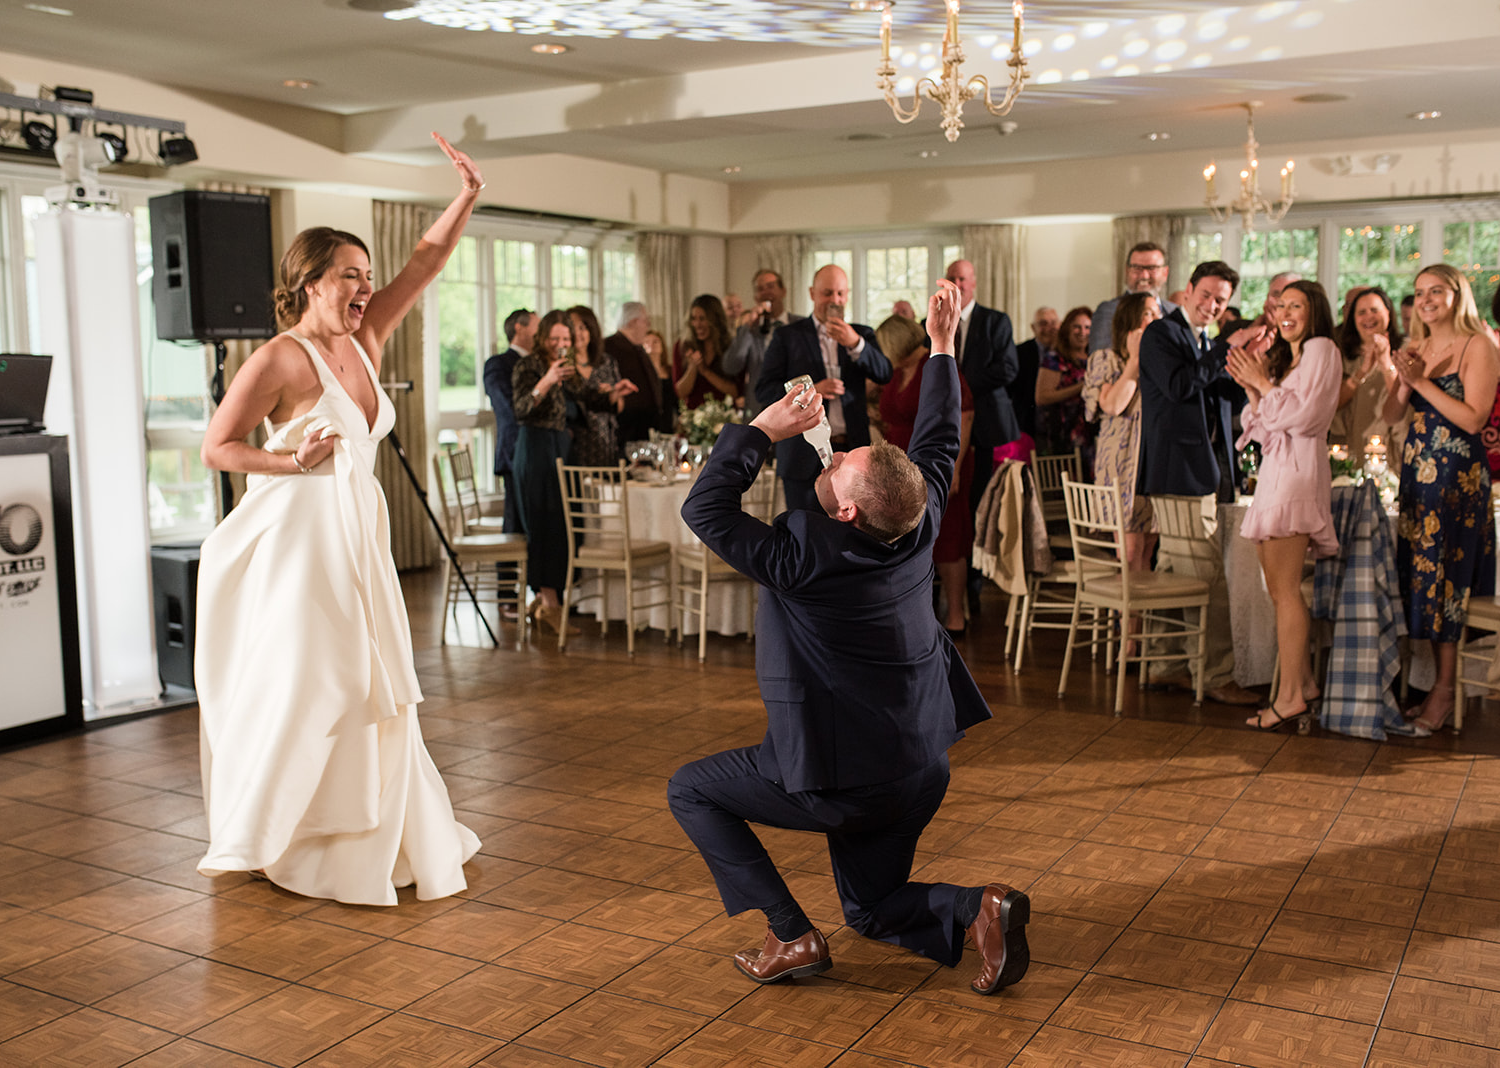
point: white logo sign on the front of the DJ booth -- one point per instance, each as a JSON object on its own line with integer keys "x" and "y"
{"x": 31, "y": 626}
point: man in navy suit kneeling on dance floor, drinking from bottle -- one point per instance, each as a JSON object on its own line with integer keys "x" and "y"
{"x": 863, "y": 692}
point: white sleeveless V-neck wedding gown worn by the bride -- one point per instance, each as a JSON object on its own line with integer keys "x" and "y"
{"x": 313, "y": 763}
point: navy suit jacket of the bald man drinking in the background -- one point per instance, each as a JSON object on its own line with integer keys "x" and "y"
{"x": 794, "y": 352}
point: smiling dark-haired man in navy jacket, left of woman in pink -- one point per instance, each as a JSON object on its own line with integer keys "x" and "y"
{"x": 1187, "y": 407}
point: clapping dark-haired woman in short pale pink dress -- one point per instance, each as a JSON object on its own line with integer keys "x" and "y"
{"x": 1292, "y": 391}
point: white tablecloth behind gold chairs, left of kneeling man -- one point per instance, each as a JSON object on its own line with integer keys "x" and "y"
{"x": 656, "y": 515}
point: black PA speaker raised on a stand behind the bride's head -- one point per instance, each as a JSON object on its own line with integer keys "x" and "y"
{"x": 212, "y": 266}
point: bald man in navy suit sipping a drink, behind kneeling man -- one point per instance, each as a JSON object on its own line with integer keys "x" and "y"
{"x": 839, "y": 356}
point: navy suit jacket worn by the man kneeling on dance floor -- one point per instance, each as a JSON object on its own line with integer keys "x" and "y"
{"x": 860, "y": 683}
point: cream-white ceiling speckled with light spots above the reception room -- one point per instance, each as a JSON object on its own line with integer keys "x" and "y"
{"x": 788, "y": 110}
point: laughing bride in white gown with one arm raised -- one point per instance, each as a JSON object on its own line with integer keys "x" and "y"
{"x": 314, "y": 772}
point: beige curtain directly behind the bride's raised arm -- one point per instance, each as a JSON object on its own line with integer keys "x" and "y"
{"x": 398, "y": 229}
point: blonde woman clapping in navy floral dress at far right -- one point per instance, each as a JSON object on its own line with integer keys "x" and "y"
{"x": 1445, "y": 535}
